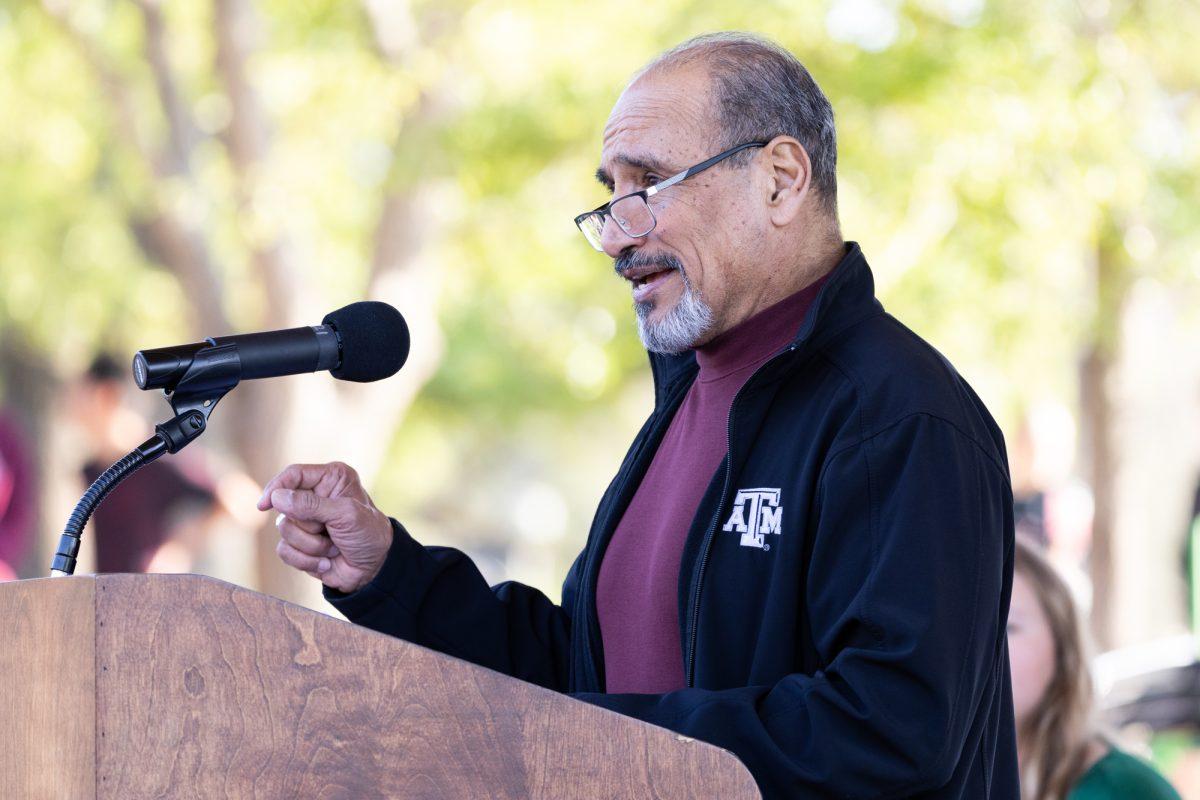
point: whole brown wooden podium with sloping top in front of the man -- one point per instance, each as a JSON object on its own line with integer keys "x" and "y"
{"x": 125, "y": 687}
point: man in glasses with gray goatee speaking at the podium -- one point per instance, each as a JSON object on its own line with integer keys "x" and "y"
{"x": 806, "y": 558}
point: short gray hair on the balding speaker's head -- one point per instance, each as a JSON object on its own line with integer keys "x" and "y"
{"x": 763, "y": 92}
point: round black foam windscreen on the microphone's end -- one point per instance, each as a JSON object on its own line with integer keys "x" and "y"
{"x": 375, "y": 341}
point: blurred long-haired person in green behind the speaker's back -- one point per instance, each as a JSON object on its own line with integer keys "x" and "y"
{"x": 1061, "y": 750}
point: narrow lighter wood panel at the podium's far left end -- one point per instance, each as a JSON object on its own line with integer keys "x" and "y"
{"x": 47, "y": 690}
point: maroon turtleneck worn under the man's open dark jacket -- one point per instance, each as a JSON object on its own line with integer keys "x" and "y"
{"x": 637, "y": 594}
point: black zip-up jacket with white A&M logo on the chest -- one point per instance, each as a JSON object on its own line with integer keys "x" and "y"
{"x": 844, "y": 588}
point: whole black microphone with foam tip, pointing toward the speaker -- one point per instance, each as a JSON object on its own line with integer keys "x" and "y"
{"x": 362, "y": 342}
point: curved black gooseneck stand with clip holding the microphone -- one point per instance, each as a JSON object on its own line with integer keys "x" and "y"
{"x": 193, "y": 400}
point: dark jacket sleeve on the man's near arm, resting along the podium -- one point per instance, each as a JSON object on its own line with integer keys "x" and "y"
{"x": 907, "y": 594}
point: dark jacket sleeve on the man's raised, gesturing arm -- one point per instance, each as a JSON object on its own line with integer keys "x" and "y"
{"x": 435, "y": 597}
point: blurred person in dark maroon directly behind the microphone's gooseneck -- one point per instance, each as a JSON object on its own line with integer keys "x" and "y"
{"x": 160, "y": 518}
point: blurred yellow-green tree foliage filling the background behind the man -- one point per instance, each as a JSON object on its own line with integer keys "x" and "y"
{"x": 985, "y": 147}
